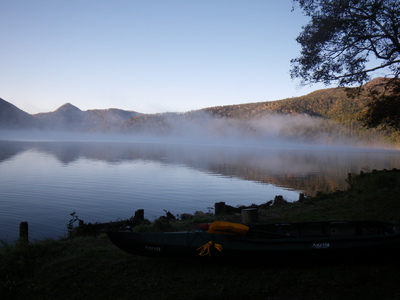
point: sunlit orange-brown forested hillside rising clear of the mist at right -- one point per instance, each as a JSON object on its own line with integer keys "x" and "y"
{"x": 336, "y": 109}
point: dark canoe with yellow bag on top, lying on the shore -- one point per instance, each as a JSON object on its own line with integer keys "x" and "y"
{"x": 328, "y": 239}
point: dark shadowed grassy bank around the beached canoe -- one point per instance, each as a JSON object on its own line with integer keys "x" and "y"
{"x": 92, "y": 268}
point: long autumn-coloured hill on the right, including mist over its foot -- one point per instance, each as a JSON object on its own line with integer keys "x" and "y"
{"x": 329, "y": 115}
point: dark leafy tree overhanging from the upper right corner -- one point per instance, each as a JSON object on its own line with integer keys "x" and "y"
{"x": 346, "y": 41}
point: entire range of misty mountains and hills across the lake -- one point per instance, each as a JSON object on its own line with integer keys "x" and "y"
{"x": 328, "y": 112}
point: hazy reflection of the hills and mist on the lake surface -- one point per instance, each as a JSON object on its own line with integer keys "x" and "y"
{"x": 299, "y": 169}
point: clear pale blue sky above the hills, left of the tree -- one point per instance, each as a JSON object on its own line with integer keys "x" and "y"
{"x": 149, "y": 56}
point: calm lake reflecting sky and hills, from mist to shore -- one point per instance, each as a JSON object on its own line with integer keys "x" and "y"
{"x": 44, "y": 182}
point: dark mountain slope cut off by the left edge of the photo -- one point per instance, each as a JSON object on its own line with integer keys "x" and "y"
{"x": 11, "y": 117}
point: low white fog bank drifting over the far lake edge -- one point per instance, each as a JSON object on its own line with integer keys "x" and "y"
{"x": 274, "y": 130}
